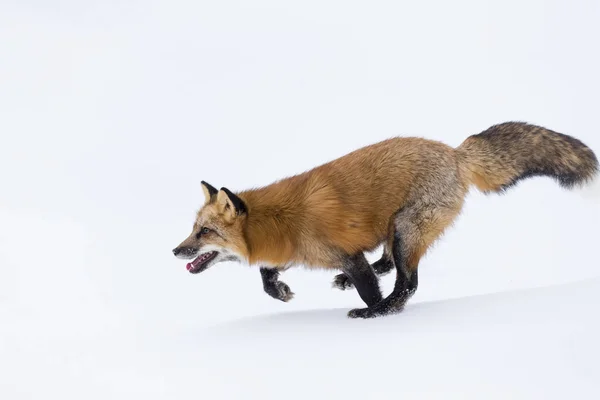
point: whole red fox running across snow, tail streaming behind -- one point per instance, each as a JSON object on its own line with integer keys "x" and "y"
{"x": 401, "y": 193}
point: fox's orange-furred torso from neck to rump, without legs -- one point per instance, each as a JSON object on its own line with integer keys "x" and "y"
{"x": 341, "y": 207}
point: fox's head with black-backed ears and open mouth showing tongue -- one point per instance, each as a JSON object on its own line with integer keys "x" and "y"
{"x": 218, "y": 232}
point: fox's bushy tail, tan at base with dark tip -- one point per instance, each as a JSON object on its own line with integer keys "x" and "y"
{"x": 504, "y": 154}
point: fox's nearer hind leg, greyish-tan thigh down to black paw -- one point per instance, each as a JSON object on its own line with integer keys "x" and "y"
{"x": 416, "y": 228}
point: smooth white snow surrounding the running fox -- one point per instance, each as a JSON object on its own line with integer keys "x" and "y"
{"x": 111, "y": 113}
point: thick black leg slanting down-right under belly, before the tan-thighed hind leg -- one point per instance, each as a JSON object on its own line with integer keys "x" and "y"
{"x": 361, "y": 274}
